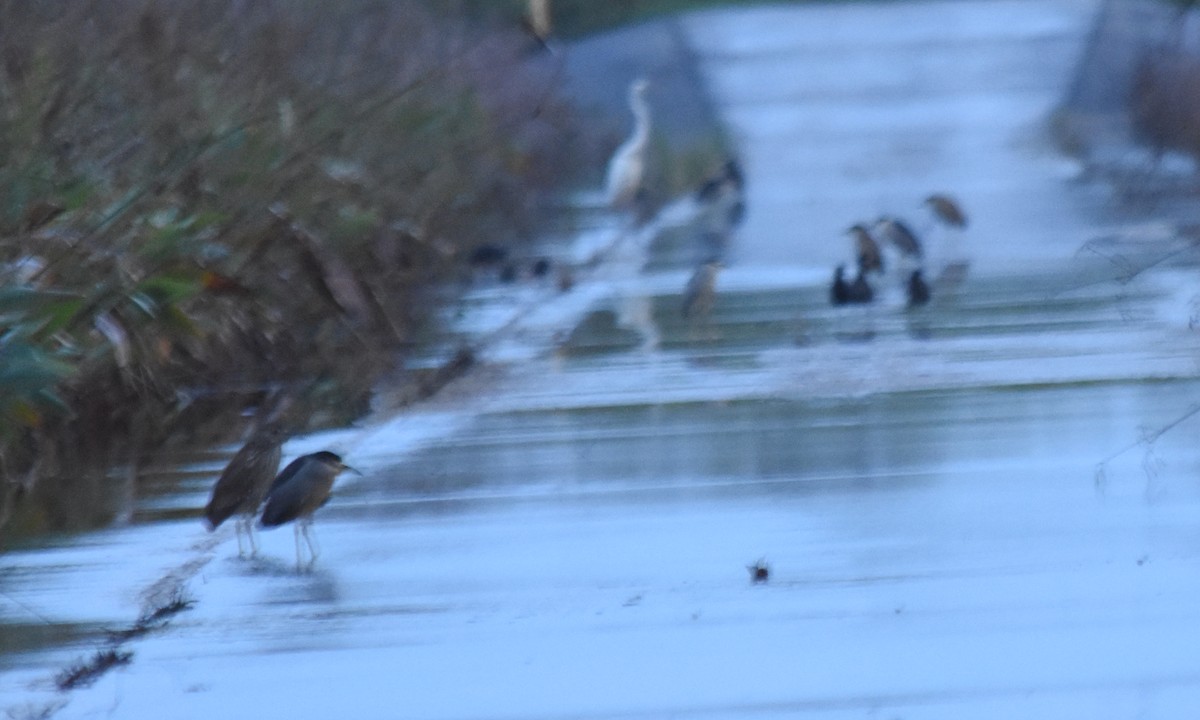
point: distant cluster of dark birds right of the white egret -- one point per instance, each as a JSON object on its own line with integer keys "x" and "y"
{"x": 892, "y": 232}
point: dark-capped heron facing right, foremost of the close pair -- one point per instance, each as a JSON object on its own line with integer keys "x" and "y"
{"x": 303, "y": 488}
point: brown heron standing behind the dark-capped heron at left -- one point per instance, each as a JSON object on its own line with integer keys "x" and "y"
{"x": 243, "y": 484}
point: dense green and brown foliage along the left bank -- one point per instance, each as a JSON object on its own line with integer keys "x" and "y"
{"x": 205, "y": 203}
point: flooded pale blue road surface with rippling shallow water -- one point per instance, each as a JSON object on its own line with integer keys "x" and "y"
{"x": 961, "y": 506}
